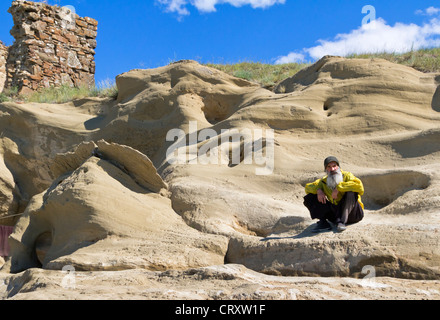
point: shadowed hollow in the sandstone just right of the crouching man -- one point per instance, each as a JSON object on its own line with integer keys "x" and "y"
{"x": 382, "y": 189}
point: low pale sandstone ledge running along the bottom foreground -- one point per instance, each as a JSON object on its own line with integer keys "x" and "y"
{"x": 224, "y": 282}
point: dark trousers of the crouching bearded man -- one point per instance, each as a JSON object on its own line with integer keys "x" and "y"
{"x": 348, "y": 210}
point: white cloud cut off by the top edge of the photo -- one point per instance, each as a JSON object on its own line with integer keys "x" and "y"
{"x": 180, "y": 6}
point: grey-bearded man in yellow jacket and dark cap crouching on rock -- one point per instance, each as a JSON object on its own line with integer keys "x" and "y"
{"x": 336, "y": 198}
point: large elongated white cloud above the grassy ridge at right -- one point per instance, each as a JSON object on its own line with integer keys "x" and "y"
{"x": 374, "y": 37}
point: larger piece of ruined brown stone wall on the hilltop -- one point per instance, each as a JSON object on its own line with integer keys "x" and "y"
{"x": 53, "y": 47}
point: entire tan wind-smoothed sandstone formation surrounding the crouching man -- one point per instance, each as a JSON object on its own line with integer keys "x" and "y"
{"x": 99, "y": 193}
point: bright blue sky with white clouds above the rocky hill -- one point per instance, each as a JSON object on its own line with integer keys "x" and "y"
{"x": 152, "y": 33}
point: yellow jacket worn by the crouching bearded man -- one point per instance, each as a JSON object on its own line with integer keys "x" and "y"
{"x": 349, "y": 183}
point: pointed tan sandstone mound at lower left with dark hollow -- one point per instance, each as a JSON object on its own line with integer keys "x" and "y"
{"x": 138, "y": 227}
